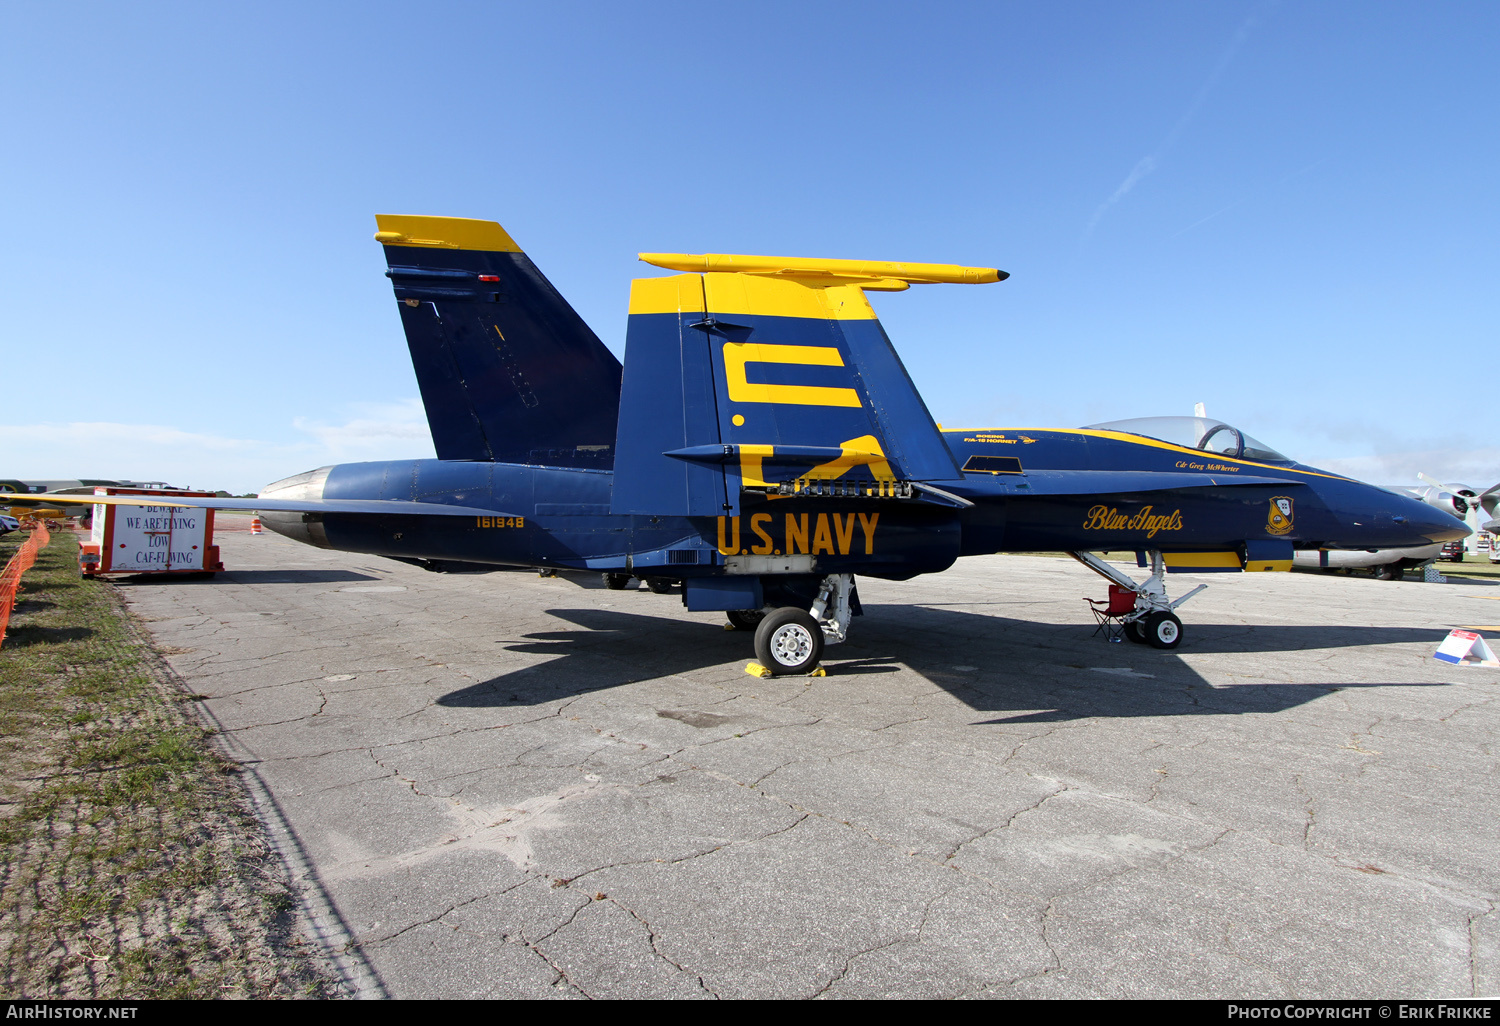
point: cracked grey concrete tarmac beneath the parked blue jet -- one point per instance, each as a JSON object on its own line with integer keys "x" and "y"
{"x": 520, "y": 787}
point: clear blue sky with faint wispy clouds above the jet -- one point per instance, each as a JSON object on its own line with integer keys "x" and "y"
{"x": 1285, "y": 211}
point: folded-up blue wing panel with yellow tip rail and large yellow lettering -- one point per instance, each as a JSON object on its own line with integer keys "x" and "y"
{"x": 772, "y": 377}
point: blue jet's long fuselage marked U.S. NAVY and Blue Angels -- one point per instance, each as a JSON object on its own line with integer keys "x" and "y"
{"x": 562, "y": 515}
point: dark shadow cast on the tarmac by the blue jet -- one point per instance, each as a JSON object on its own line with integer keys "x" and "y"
{"x": 1022, "y": 671}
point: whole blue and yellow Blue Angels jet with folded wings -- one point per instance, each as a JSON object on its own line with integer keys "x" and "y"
{"x": 763, "y": 446}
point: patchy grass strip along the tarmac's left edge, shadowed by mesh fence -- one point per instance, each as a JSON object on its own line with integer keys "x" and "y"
{"x": 133, "y": 868}
